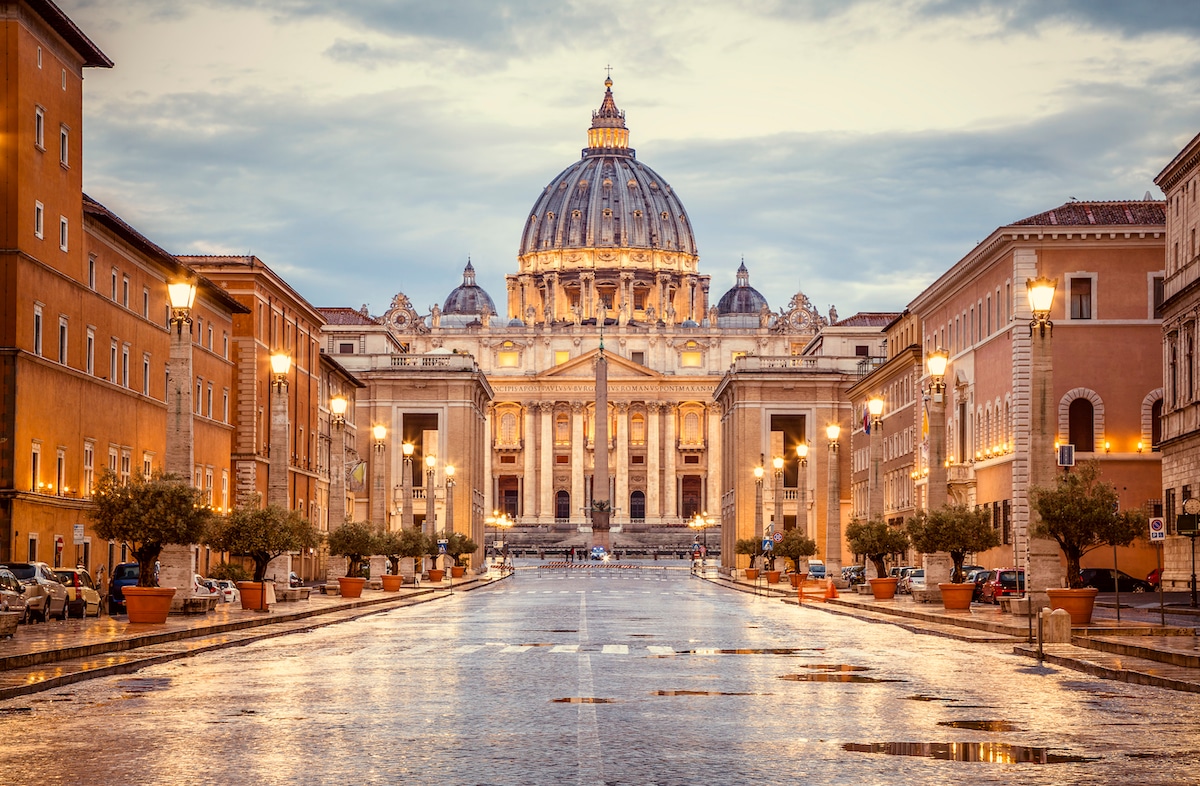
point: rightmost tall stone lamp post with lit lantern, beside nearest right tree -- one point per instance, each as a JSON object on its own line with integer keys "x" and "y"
{"x": 1042, "y": 560}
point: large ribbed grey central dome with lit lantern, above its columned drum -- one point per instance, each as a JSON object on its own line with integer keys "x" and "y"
{"x": 609, "y": 200}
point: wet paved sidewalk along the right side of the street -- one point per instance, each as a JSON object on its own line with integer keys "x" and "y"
{"x": 1130, "y": 651}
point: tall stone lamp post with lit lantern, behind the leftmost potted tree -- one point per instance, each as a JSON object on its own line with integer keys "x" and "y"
{"x": 179, "y": 562}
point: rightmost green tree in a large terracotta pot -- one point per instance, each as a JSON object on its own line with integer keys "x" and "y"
{"x": 1081, "y": 513}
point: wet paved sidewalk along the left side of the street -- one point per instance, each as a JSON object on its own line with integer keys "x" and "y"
{"x": 47, "y": 656}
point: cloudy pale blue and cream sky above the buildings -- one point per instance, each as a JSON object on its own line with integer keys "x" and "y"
{"x": 854, "y": 149}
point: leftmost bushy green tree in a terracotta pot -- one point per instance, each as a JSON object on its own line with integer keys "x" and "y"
{"x": 147, "y": 515}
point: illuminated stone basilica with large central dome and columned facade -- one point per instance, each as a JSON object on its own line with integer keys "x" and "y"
{"x": 608, "y": 257}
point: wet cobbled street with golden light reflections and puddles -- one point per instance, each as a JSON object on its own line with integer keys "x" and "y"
{"x": 639, "y": 677}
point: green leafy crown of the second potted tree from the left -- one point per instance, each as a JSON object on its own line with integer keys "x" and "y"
{"x": 261, "y": 533}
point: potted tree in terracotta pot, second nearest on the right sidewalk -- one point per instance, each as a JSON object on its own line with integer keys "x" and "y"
{"x": 959, "y": 531}
